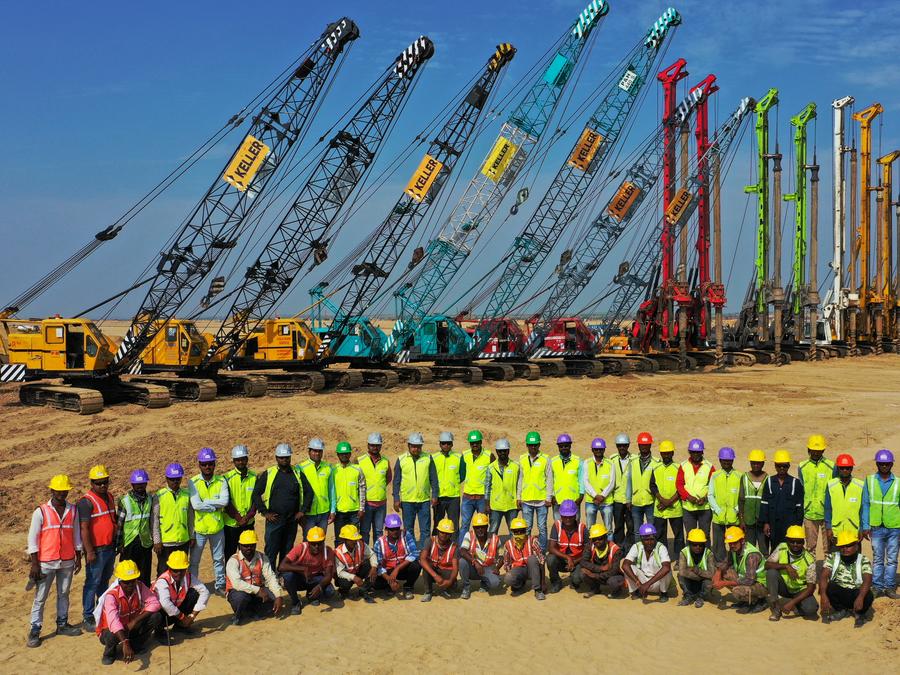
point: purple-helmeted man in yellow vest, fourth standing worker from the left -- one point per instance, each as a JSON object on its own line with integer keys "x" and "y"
{"x": 171, "y": 518}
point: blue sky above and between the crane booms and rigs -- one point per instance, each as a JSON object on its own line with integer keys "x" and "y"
{"x": 104, "y": 98}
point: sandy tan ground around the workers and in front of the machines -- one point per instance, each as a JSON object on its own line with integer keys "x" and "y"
{"x": 853, "y": 402}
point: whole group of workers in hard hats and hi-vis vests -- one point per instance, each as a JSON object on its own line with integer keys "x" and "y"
{"x": 751, "y": 536}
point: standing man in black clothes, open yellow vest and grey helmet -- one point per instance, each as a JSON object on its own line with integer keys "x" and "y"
{"x": 282, "y": 495}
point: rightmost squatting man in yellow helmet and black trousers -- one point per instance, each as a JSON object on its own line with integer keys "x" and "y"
{"x": 845, "y": 583}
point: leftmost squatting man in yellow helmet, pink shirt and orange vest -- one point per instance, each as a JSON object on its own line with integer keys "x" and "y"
{"x": 128, "y": 613}
